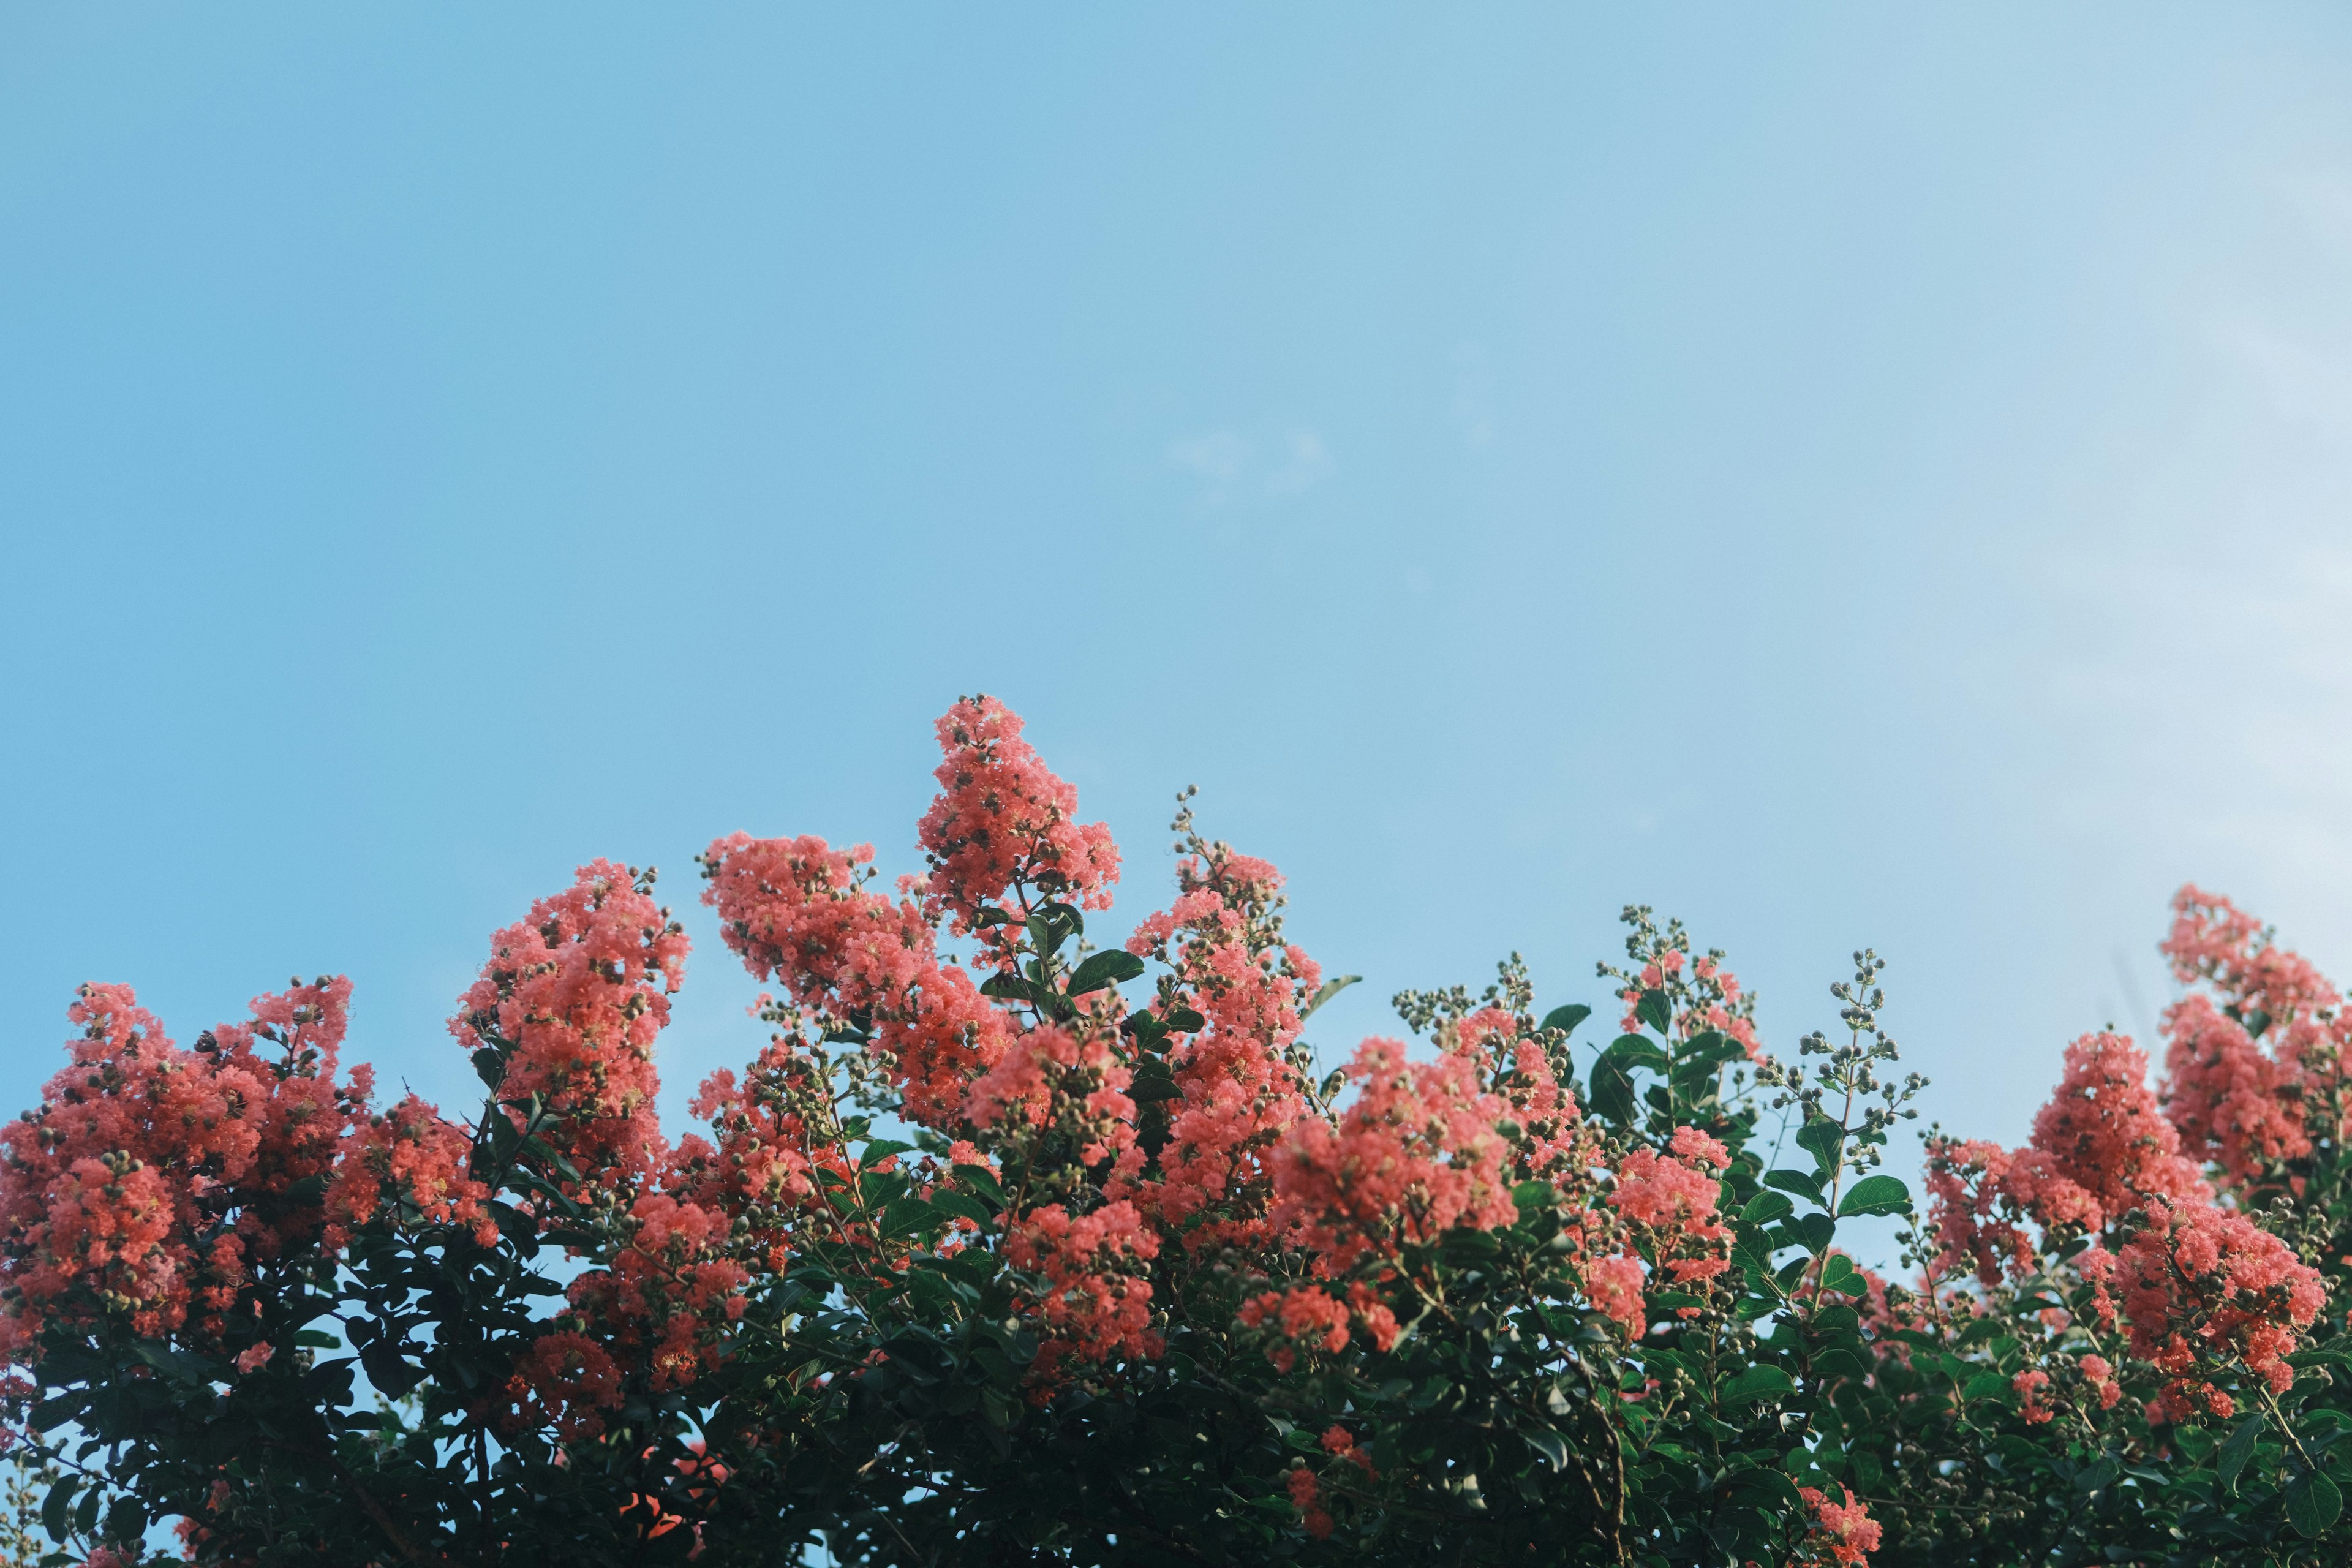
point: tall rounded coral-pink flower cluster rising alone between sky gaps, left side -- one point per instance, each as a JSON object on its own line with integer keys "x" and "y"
{"x": 575, "y": 998}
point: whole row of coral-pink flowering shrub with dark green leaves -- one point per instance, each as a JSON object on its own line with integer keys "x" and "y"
{"x": 1020, "y": 1249}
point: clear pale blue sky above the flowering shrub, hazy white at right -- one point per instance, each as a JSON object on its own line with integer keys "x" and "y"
{"x": 1829, "y": 474}
